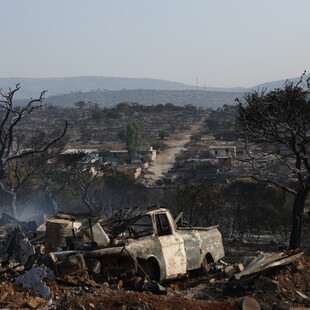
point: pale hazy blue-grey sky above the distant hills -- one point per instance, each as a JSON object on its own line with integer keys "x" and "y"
{"x": 222, "y": 43}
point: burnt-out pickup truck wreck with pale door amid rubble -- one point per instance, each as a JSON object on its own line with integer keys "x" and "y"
{"x": 147, "y": 243}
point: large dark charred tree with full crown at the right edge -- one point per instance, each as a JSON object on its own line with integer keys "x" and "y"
{"x": 279, "y": 123}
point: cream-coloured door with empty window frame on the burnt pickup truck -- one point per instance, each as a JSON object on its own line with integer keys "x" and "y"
{"x": 172, "y": 245}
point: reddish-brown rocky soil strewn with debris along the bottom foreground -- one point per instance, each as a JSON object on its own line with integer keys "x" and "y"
{"x": 280, "y": 288}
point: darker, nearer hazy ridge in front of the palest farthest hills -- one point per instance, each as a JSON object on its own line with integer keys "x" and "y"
{"x": 199, "y": 98}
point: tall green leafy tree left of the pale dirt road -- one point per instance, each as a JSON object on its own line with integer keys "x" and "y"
{"x": 132, "y": 134}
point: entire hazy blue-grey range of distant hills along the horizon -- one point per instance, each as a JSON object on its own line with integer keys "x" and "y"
{"x": 108, "y": 91}
